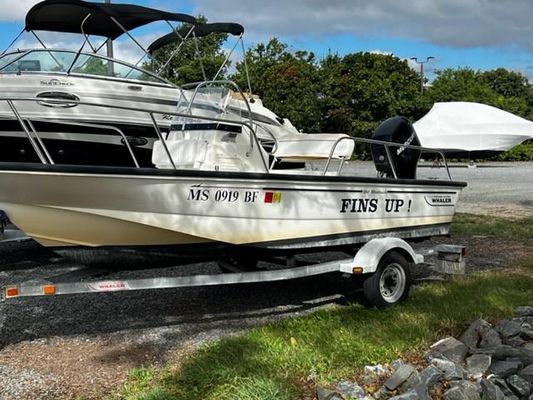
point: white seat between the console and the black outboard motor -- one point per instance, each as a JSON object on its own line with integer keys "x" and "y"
{"x": 312, "y": 146}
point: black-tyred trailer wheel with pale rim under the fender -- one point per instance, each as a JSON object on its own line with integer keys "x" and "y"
{"x": 390, "y": 283}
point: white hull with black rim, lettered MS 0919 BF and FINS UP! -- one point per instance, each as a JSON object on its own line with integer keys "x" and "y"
{"x": 79, "y": 206}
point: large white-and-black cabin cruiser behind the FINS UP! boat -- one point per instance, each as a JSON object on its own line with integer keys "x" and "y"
{"x": 88, "y": 77}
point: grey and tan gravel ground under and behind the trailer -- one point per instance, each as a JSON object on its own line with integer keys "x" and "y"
{"x": 62, "y": 347}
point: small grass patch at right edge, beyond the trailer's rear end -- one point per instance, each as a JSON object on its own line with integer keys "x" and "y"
{"x": 505, "y": 228}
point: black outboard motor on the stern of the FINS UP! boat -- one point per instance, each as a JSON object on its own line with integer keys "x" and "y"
{"x": 405, "y": 160}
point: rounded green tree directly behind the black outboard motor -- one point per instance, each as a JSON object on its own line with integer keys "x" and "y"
{"x": 362, "y": 89}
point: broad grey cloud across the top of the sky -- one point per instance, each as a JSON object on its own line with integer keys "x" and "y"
{"x": 456, "y": 23}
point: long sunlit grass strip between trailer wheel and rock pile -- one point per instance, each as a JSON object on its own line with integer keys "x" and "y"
{"x": 273, "y": 361}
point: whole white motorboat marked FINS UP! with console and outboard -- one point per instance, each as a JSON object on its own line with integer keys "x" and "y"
{"x": 212, "y": 185}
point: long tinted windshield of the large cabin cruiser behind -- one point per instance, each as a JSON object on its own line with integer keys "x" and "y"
{"x": 60, "y": 61}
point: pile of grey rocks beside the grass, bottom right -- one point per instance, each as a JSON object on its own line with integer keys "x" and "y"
{"x": 487, "y": 362}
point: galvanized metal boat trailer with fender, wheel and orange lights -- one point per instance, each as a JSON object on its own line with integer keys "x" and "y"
{"x": 383, "y": 264}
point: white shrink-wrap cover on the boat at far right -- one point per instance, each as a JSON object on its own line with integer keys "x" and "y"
{"x": 471, "y": 127}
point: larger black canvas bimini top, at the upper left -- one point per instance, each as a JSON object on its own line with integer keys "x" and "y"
{"x": 68, "y": 16}
